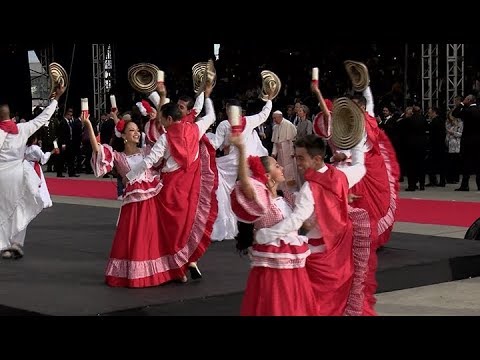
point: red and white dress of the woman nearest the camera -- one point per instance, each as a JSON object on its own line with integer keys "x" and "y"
{"x": 278, "y": 283}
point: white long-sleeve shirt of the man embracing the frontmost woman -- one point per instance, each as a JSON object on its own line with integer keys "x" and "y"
{"x": 305, "y": 203}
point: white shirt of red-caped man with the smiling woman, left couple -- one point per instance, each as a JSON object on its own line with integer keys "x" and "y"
{"x": 161, "y": 149}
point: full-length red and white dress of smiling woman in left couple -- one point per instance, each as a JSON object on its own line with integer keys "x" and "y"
{"x": 135, "y": 258}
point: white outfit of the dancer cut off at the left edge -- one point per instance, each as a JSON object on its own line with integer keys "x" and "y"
{"x": 20, "y": 199}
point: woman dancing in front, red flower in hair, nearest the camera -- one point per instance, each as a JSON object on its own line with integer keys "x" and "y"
{"x": 278, "y": 284}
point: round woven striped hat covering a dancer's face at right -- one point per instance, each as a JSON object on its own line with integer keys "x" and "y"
{"x": 348, "y": 123}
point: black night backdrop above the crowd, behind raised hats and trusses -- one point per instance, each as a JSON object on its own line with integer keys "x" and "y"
{"x": 240, "y": 63}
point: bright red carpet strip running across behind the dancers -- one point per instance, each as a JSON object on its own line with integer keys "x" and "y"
{"x": 439, "y": 212}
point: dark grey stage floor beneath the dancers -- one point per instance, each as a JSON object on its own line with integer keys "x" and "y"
{"x": 68, "y": 245}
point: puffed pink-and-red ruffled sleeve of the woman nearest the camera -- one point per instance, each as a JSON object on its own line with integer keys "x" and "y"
{"x": 246, "y": 210}
